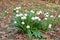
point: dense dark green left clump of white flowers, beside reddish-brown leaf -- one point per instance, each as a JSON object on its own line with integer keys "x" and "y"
{"x": 27, "y": 22}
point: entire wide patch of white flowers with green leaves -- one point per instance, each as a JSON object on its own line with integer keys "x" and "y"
{"x": 31, "y": 22}
